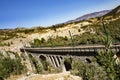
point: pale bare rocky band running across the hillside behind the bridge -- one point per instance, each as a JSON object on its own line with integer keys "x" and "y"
{"x": 64, "y": 31}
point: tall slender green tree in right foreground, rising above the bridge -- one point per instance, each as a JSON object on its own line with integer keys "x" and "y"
{"x": 106, "y": 60}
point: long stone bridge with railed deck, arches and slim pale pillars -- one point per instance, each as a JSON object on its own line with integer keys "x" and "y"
{"x": 56, "y": 55}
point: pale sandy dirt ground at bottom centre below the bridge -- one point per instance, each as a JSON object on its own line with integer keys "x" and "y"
{"x": 58, "y": 76}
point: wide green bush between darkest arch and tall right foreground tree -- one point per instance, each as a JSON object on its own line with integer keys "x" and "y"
{"x": 88, "y": 71}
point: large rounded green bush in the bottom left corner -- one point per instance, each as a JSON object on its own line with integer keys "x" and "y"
{"x": 10, "y": 67}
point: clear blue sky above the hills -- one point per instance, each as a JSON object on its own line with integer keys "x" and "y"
{"x": 30, "y": 13}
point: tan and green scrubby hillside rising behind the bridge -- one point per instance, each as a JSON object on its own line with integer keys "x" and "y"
{"x": 83, "y": 32}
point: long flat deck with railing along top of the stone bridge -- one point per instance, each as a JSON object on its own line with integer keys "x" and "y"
{"x": 69, "y": 49}
